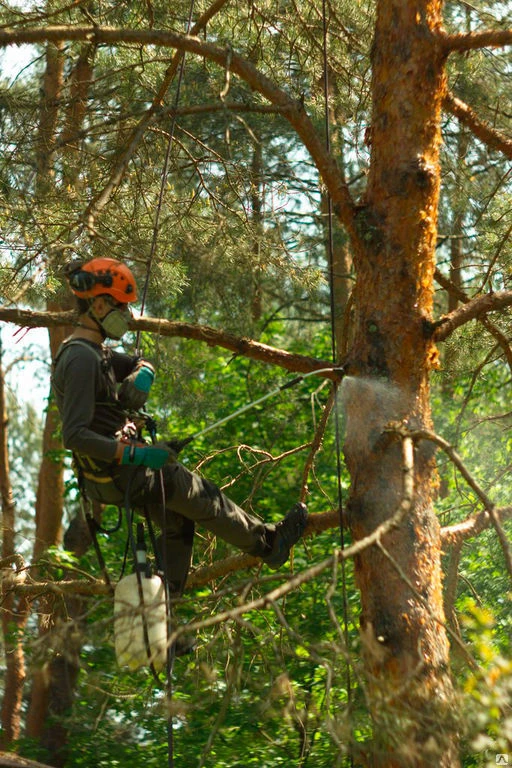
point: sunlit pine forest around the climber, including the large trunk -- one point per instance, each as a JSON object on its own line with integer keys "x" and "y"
{"x": 300, "y": 186}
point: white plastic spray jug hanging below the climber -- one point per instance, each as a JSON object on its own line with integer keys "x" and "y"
{"x": 129, "y": 620}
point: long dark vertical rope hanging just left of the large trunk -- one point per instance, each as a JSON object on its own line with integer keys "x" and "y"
{"x": 330, "y": 250}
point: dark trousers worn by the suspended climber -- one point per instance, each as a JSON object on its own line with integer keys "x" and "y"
{"x": 176, "y": 499}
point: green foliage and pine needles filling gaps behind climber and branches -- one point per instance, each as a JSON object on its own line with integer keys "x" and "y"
{"x": 241, "y": 246}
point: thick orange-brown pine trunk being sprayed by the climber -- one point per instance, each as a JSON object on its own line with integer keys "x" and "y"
{"x": 404, "y": 640}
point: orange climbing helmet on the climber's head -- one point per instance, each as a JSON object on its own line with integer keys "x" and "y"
{"x": 103, "y": 276}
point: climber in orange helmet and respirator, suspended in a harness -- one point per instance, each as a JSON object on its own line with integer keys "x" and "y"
{"x": 97, "y": 391}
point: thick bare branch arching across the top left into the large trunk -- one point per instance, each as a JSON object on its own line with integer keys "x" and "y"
{"x": 292, "y": 109}
